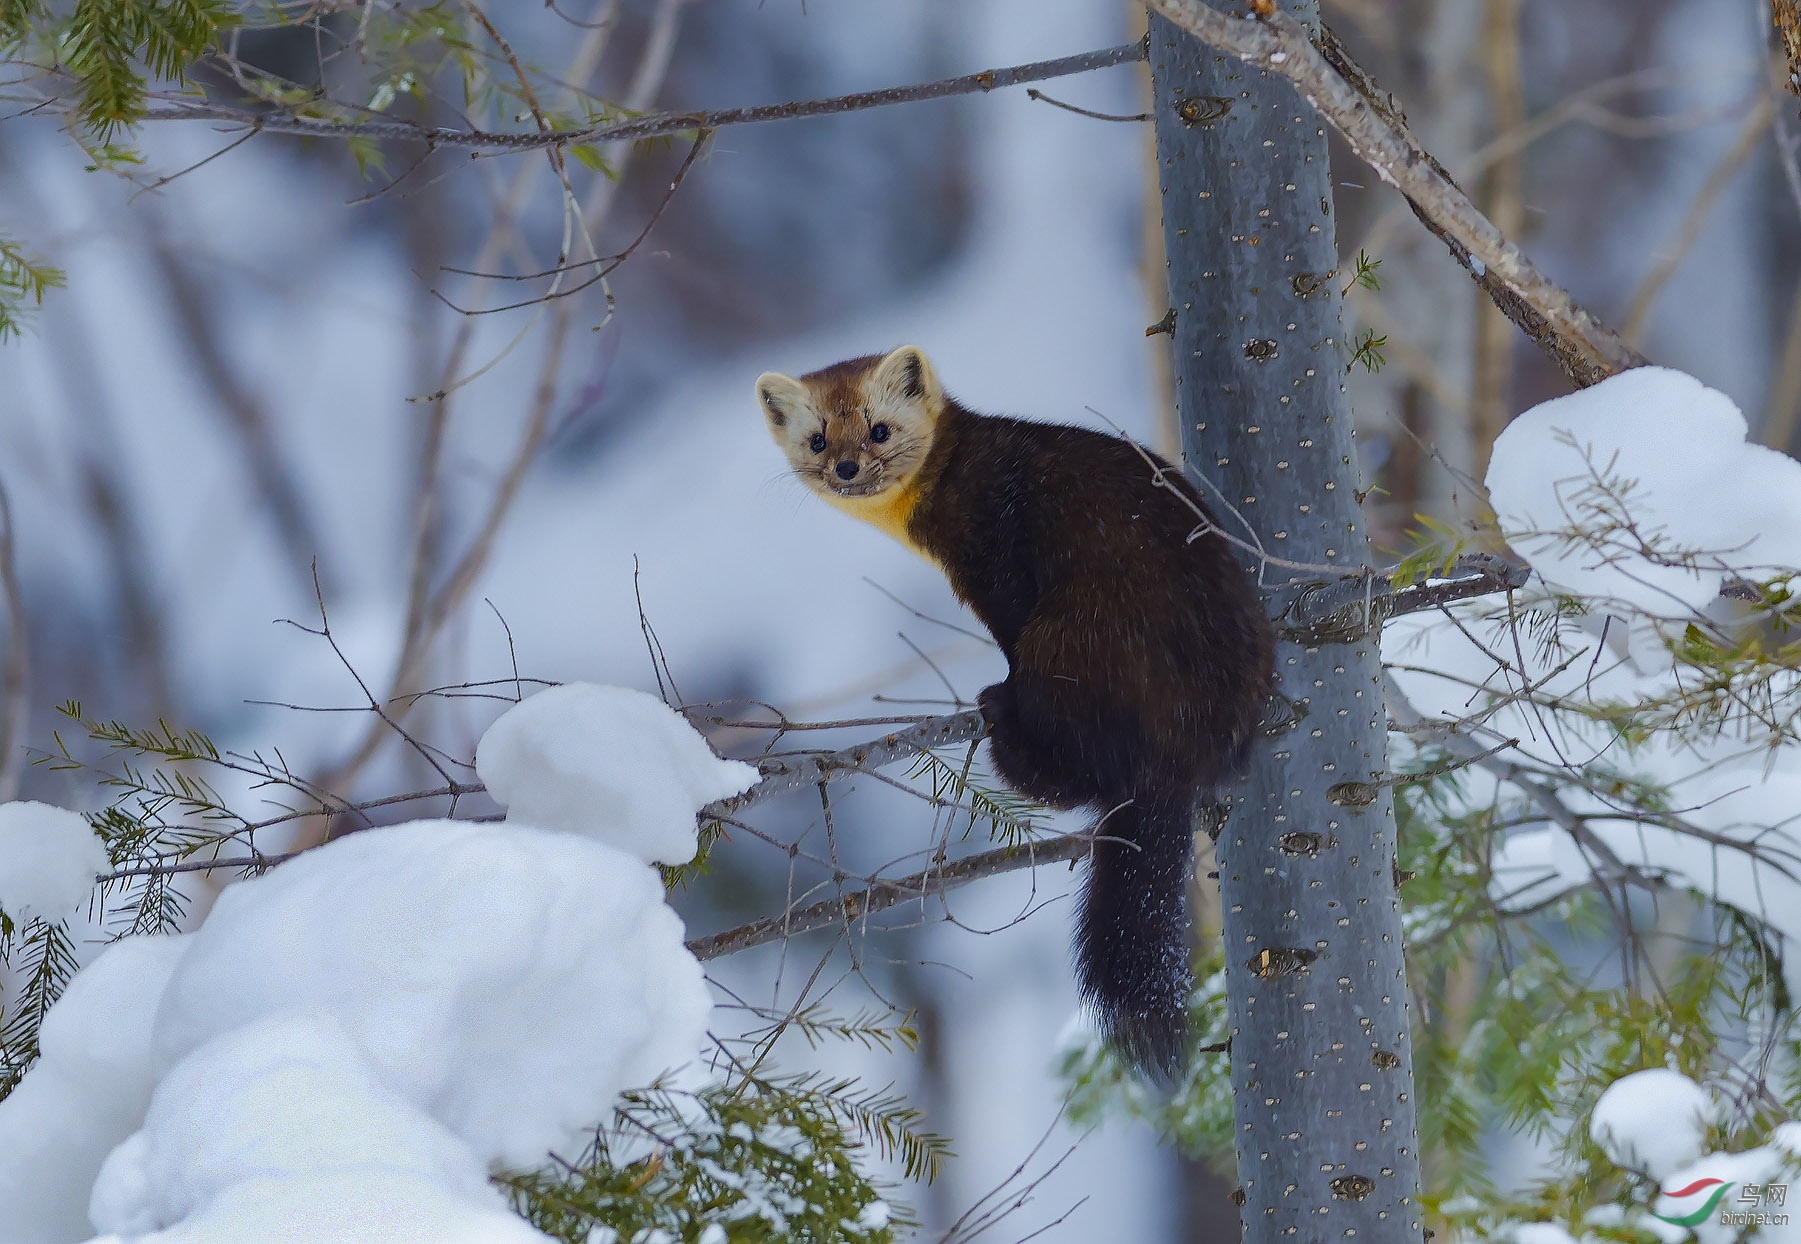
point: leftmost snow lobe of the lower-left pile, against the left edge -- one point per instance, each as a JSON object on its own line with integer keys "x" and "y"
{"x": 86, "y": 1094}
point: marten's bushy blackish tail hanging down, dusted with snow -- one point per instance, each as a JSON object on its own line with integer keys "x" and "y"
{"x": 1132, "y": 935}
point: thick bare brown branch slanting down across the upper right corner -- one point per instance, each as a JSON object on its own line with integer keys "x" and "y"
{"x": 1377, "y": 132}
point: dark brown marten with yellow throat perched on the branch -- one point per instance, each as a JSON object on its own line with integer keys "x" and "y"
{"x": 1137, "y": 649}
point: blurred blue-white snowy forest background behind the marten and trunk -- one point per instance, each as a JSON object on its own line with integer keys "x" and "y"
{"x": 266, "y": 366}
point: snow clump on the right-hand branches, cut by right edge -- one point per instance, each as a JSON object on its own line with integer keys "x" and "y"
{"x": 1697, "y": 487}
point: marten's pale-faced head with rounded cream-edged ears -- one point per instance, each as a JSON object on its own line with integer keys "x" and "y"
{"x": 860, "y": 429}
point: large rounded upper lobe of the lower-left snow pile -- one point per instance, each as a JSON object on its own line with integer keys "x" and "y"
{"x": 507, "y": 980}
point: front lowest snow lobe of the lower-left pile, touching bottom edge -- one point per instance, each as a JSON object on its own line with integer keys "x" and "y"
{"x": 282, "y": 1131}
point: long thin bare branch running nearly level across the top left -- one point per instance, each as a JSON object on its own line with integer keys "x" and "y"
{"x": 655, "y": 125}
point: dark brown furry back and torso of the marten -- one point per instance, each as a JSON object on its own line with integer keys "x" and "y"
{"x": 1083, "y": 570}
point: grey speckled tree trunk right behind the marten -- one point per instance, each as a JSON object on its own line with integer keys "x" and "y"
{"x": 1317, "y": 993}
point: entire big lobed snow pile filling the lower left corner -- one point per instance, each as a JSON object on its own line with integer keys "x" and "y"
{"x": 350, "y": 1043}
